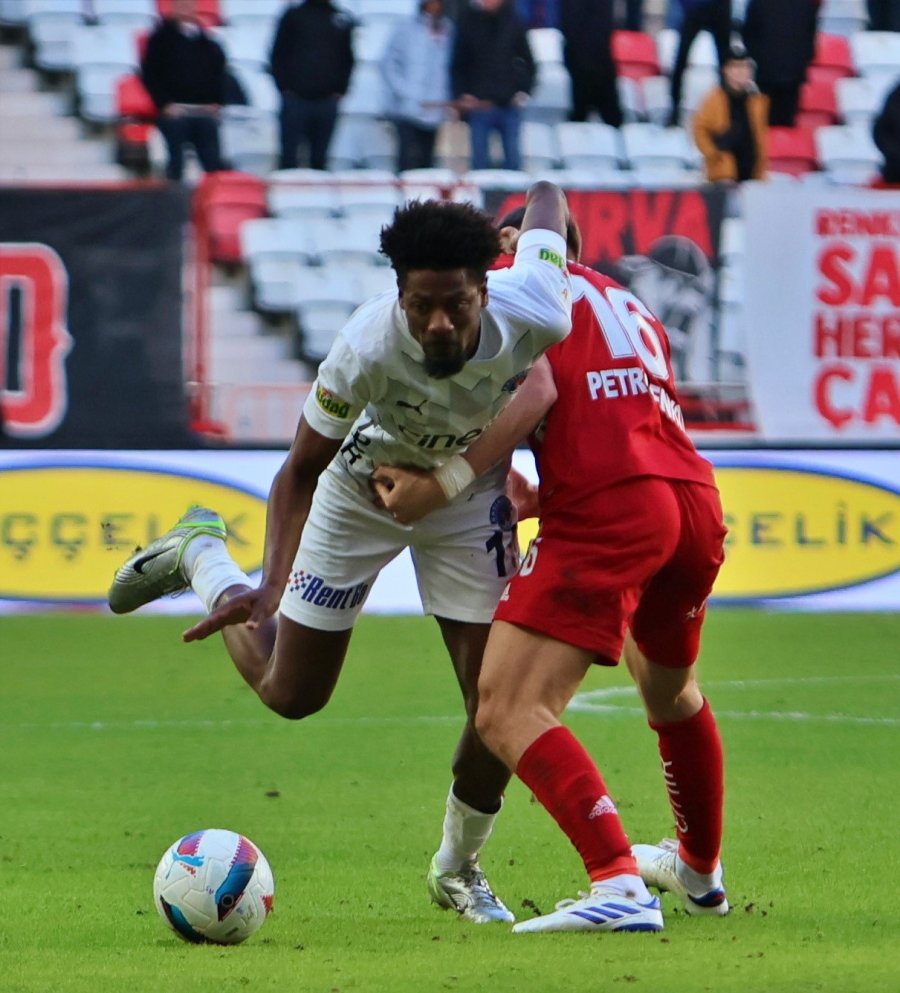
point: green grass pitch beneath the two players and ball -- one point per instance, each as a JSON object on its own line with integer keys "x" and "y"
{"x": 115, "y": 739}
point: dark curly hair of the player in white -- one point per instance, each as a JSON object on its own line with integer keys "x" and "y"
{"x": 440, "y": 235}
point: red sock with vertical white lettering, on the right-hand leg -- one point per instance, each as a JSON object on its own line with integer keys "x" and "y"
{"x": 691, "y": 753}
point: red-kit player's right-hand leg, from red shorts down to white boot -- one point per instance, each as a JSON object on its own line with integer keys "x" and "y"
{"x": 660, "y": 653}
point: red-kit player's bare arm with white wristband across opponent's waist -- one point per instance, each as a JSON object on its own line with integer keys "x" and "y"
{"x": 409, "y": 494}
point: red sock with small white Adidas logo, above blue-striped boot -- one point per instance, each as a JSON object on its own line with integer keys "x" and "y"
{"x": 565, "y": 780}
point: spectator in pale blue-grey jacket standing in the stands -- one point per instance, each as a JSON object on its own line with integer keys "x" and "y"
{"x": 416, "y": 71}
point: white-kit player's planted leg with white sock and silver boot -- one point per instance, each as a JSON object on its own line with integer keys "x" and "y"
{"x": 455, "y": 878}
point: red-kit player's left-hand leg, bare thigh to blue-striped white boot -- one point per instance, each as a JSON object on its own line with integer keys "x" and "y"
{"x": 527, "y": 680}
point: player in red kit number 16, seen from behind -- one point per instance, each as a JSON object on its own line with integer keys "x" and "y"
{"x": 631, "y": 541}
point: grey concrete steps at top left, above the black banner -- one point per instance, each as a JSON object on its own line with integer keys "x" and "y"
{"x": 38, "y": 141}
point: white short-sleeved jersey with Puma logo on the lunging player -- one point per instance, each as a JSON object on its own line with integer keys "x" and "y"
{"x": 372, "y": 385}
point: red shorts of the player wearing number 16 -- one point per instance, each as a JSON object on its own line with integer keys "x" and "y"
{"x": 649, "y": 564}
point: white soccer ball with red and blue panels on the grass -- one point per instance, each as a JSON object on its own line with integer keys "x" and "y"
{"x": 214, "y": 886}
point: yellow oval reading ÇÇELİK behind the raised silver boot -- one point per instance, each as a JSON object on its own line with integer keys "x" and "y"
{"x": 65, "y": 529}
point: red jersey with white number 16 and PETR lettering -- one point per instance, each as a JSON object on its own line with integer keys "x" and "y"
{"x": 617, "y": 417}
